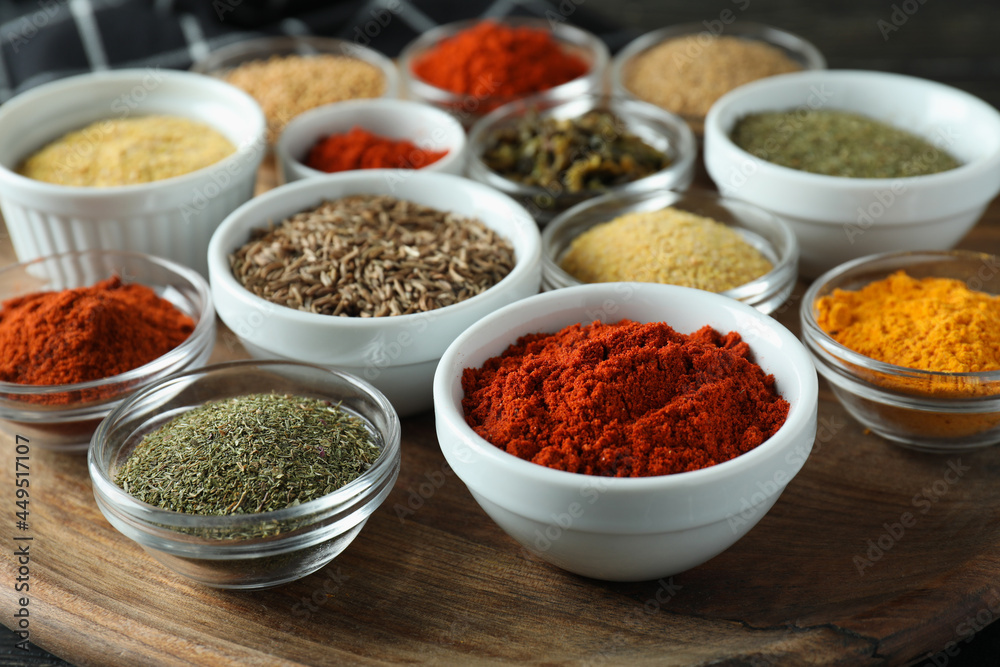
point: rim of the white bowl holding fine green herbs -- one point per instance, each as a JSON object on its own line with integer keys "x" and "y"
{"x": 714, "y": 129}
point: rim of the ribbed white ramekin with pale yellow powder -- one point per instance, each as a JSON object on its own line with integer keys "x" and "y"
{"x": 63, "y": 86}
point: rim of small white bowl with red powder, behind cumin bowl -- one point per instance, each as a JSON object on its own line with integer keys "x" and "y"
{"x": 454, "y": 128}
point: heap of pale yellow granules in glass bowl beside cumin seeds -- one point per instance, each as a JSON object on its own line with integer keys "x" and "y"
{"x": 666, "y": 246}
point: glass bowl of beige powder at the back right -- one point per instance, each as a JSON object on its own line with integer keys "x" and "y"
{"x": 690, "y": 94}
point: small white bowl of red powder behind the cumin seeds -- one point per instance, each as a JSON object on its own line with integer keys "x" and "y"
{"x": 370, "y": 134}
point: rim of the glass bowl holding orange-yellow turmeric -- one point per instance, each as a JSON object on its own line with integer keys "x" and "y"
{"x": 812, "y": 330}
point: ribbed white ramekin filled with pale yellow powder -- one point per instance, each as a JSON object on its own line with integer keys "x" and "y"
{"x": 172, "y": 217}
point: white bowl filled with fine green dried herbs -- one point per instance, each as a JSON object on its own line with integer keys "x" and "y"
{"x": 857, "y": 162}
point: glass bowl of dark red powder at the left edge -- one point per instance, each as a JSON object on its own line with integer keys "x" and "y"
{"x": 80, "y": 331}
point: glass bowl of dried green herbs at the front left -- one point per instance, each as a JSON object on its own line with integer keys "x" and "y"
{"x": 246, "y": 474}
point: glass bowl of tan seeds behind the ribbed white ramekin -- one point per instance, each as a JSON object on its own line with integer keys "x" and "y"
{"x": 291, "y": 90}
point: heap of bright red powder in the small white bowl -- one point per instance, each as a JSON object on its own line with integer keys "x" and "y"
{"x": 361, "y": 149}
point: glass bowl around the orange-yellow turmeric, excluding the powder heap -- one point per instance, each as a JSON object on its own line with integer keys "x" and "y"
{"x": 924, "y": 410}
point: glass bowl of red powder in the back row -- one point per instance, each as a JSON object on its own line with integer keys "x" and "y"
{"x": 469, "y": 68}
